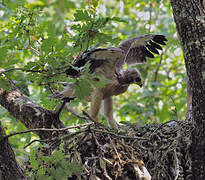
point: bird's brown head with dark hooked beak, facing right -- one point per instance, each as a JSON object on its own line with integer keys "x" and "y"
{"x": 132, "y": 76}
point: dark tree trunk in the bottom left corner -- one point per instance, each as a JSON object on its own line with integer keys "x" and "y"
{"x": 9, "y": 168}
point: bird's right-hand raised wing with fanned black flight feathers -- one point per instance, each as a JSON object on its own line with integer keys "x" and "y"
{"x": 138, "y": 48}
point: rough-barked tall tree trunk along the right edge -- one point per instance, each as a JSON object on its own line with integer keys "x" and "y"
{"x": 190, "y": 22}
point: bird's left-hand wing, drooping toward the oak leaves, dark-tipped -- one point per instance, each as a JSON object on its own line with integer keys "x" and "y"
{"x": 102, "y": 62}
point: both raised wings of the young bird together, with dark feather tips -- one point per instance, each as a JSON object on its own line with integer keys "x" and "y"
{"x": 108, "y": 61}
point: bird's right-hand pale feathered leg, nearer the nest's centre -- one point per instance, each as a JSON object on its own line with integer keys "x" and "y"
{"x": 108, "y": 112}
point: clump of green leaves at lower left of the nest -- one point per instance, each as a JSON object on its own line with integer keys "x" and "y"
{"x": 55, "y": 166}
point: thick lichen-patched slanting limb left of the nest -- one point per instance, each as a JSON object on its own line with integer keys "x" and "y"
{"x": 30, "y": 114}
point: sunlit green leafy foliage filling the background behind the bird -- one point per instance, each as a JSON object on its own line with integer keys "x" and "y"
{"x": 40, "y": 38}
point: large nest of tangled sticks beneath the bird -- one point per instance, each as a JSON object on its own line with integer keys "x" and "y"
{"x": 149, "y": 152}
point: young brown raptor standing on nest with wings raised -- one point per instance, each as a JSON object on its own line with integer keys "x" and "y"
{"x": 108, "y": 63}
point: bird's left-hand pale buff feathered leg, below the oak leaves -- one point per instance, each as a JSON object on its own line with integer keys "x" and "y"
{"x": 96, "y": 100}
